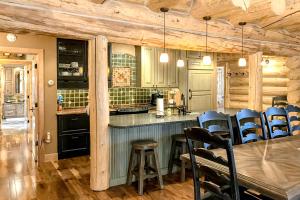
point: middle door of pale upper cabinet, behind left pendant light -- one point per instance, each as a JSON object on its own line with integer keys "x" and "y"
{"x": 161, "y": 72}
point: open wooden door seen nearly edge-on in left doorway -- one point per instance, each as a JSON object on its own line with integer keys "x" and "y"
{"x": 32, "y": 109}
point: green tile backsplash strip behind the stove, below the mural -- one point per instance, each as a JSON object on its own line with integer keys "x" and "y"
{"x": 133, "y": 95}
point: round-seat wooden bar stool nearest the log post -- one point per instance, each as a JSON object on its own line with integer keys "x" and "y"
{"x": 142, "y": 151}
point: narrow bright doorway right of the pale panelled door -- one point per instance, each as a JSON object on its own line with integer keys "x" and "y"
{"x": 220, "y": 86}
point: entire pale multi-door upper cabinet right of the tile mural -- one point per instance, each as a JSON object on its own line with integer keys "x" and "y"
{"x": 157, "y": 74}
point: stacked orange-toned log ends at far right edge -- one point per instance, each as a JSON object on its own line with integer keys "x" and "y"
{"x": 293, "y": 63}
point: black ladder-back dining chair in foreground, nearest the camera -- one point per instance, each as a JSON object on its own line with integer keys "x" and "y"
{"x": 216, "y": 185}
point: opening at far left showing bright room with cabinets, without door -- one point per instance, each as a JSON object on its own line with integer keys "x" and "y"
{"x": 13, "y": 92}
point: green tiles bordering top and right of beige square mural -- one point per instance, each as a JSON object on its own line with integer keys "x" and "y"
{"x": 125, "y": 60}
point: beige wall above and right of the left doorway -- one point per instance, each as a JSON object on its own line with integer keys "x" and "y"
{"x": 48, "y": 44}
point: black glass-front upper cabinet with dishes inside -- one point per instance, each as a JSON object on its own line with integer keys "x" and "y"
{"x": 72, "y": 63}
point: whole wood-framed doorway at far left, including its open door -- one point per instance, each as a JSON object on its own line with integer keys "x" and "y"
{"x": 20, "y": 95}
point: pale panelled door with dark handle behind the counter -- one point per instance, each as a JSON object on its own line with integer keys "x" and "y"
{"x": 200, "y": 84}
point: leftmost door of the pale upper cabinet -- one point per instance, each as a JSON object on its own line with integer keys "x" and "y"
{"x": 148, "y": 67}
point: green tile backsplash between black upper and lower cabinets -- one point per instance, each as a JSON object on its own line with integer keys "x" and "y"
{"x": 73, "y": 98}
